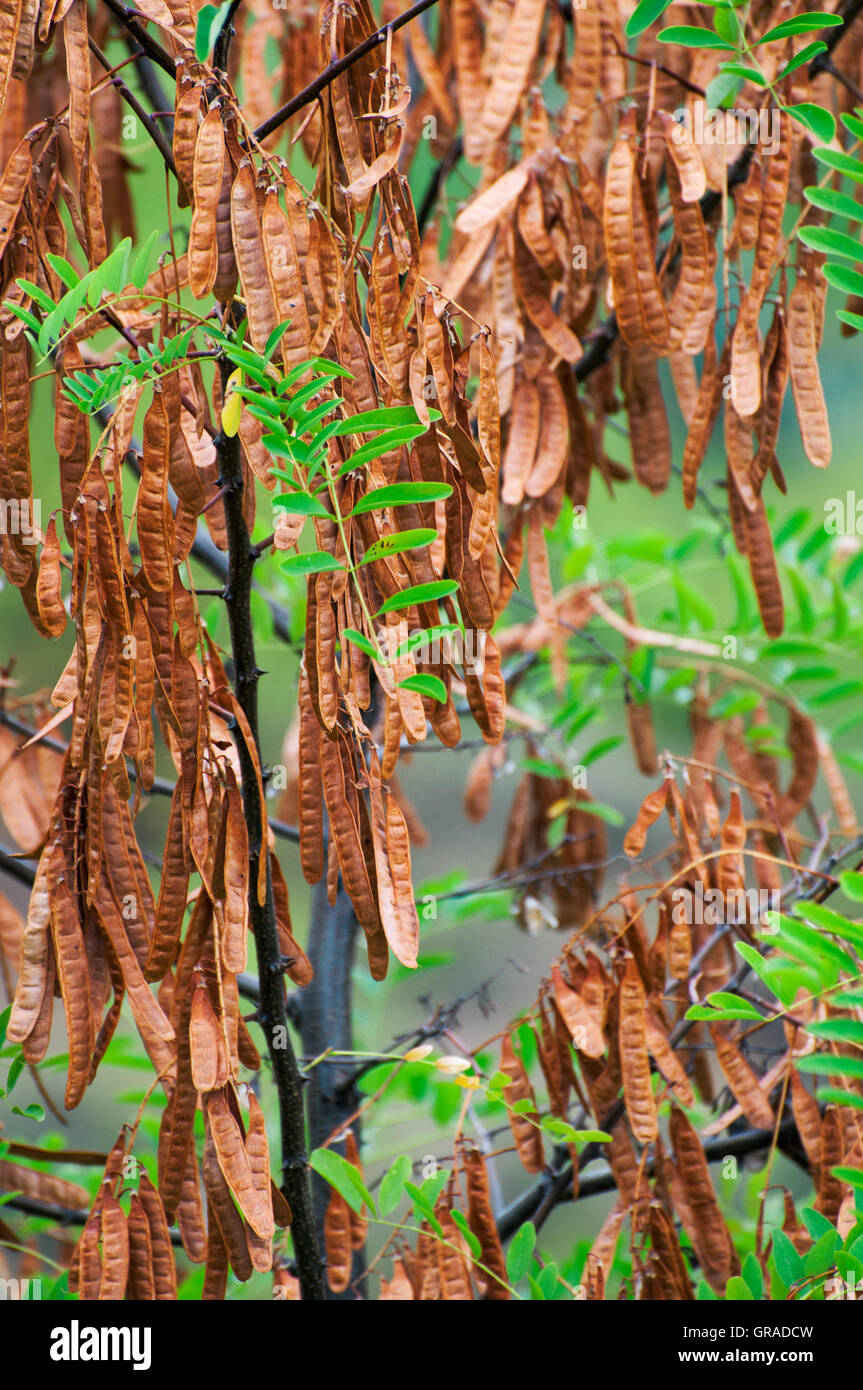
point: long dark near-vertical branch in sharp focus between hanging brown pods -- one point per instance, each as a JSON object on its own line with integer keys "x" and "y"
{"x": 272, "y": 1013}
